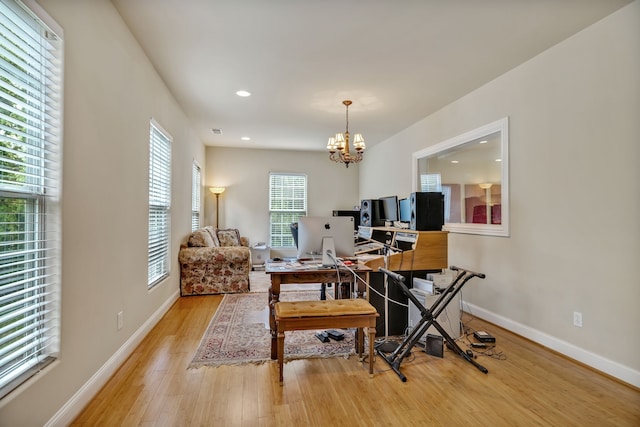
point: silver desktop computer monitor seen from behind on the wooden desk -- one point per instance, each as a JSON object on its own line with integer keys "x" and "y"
{"x": 313, "y": 229}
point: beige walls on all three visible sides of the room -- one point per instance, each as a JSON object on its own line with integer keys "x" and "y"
{"x": 574, "y": 199}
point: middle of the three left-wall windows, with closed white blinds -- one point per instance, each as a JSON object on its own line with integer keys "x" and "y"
{"x": 159, "y": 203}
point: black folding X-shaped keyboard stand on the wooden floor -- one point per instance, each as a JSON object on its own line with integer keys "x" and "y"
{"x": 428, "y": 318}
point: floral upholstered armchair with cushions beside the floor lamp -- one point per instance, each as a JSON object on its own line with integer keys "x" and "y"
{"x": 214, "y": 261}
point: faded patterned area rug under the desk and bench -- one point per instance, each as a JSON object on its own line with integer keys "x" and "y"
{"x": 239, "y": 333}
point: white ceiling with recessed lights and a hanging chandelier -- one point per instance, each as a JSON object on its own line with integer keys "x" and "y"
{"x": 398, "y": 61}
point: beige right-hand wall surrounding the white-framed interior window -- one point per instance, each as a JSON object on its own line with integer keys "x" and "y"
{"x": 574, "y": 194}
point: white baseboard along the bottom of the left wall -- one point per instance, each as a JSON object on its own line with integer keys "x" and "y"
{"x": 70, "y": 410}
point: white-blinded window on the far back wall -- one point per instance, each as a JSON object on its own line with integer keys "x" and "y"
{"x": 287, "y": 203}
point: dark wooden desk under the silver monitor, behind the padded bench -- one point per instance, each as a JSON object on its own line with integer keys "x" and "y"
{"x": 282, "y": 274}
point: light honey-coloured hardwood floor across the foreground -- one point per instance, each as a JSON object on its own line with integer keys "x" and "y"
{"x": 527, "y": 386}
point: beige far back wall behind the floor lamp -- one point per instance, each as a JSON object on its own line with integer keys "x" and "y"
{"x": 245, "y": 174}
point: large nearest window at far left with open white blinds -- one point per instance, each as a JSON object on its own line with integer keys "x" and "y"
{"x": 30, "y": 170}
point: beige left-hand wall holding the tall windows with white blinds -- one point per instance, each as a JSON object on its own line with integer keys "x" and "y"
{"x": 111, "y": 92}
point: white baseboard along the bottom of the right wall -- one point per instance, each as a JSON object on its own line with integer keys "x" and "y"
{"x": 595, "y": 361}
